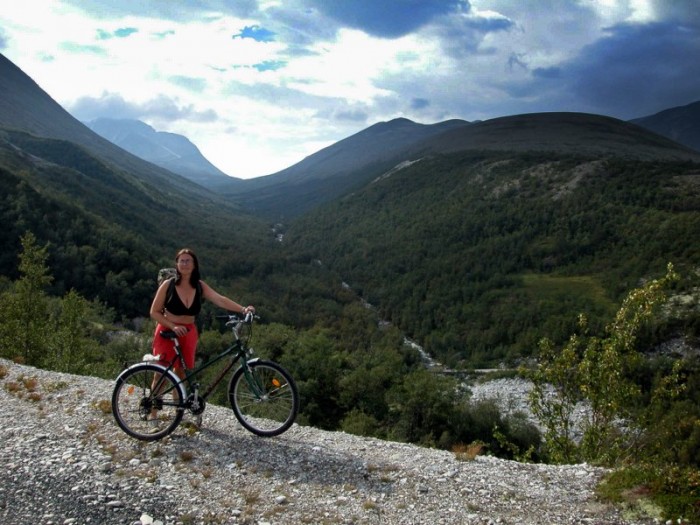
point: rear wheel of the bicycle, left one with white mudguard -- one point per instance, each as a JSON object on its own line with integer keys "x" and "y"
{"x": 139, "y": 412}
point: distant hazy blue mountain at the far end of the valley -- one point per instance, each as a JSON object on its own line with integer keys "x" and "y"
{"x": 168, "y": 150}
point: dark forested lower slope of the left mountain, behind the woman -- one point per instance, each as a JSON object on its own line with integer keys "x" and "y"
{"x": 109, "y": 231}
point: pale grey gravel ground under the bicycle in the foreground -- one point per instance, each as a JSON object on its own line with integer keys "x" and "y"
{"x": 65, "y": 461}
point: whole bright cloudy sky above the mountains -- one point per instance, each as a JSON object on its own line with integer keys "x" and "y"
{"x": 258, "y": 85}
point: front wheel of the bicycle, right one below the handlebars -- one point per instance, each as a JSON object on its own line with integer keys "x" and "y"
{"x": 264, "y": 398}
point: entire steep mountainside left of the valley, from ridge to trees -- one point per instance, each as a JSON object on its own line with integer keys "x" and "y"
{"x": 109, "y": 217}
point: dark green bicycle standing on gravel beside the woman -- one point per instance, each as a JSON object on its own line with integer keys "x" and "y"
{"x": 149, "y": 399}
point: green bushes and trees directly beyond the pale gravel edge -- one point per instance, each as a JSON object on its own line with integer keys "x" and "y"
{"x": 358, "y": 375}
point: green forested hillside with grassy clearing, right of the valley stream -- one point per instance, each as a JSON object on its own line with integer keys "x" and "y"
{"x": 478, "y": 255}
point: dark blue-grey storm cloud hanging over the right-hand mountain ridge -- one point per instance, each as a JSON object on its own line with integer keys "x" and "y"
{"x": 633, "y": 71}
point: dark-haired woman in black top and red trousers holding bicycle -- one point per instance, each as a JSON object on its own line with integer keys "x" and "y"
{"x": 177, "y": 311}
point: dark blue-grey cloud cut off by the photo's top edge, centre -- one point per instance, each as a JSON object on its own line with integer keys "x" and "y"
{"x": 386, "y": 18}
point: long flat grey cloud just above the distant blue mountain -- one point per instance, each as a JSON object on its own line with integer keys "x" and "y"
{"x": 161, "y": 108}
